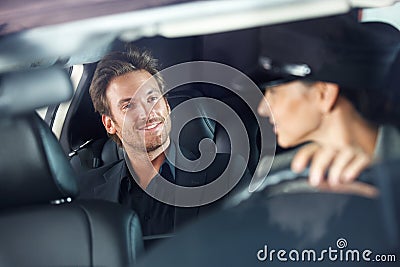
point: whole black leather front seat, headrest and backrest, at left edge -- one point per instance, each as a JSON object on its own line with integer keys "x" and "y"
{"x": 40, "y": 223}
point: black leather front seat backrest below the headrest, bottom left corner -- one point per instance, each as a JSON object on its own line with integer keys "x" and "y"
{"x": 95, "y": 233}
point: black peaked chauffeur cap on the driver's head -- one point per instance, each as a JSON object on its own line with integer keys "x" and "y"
{"x": 336, "y": 49}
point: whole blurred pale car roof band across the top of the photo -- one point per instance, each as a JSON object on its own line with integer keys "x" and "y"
{"x": 44, "y": 32}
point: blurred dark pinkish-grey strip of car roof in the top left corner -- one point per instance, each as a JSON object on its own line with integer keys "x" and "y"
{"x": 17, "y": 15}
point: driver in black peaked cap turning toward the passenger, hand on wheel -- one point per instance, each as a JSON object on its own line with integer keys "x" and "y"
{"x": 327, "y": 83}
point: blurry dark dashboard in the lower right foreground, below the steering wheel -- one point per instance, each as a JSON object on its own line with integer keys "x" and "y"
{"x": 300, "y": 220}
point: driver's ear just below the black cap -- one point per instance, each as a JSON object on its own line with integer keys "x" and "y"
{"x": 328, "y": 94}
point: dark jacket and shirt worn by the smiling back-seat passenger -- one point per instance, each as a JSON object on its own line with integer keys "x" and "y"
{"x": 116, "y": 183}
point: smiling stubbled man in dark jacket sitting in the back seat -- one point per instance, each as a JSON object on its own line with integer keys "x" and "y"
{"x": 127, "y": 91}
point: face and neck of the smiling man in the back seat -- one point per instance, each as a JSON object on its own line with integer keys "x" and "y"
{"x": 139, "y": 117}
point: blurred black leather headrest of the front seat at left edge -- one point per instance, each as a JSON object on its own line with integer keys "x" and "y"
{"x": 33, "y": 167}
